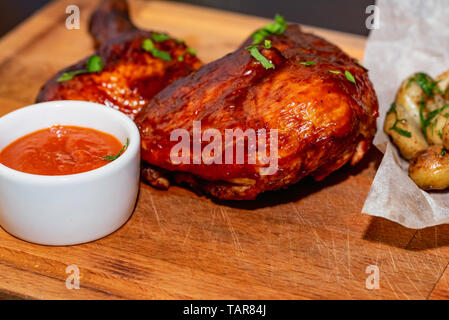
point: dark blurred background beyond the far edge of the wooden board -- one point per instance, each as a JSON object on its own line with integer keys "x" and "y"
{"x": 343, "y": 15}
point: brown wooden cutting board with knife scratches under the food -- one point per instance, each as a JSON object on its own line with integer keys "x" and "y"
{"x": 310, "y": 241}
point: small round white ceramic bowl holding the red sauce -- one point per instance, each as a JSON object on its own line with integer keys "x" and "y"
{"x": 69, "y": 209}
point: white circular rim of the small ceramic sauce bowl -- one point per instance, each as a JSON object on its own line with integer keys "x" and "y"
{"x": 118, "y": 164}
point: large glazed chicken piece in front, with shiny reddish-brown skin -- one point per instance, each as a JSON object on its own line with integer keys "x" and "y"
{"x": 323, "y": 119}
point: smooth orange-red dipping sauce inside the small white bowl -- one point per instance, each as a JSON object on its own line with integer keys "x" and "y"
{"x": 60, "y": 150}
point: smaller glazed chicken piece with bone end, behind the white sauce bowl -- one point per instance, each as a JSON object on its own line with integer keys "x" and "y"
{"x": 131, "y": 76}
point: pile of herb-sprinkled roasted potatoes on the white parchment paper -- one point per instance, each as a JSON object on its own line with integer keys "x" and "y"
{"x": 419, "y": 118}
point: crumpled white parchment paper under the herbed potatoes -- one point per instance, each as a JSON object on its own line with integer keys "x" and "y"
{"x": 413, "y": 36}
